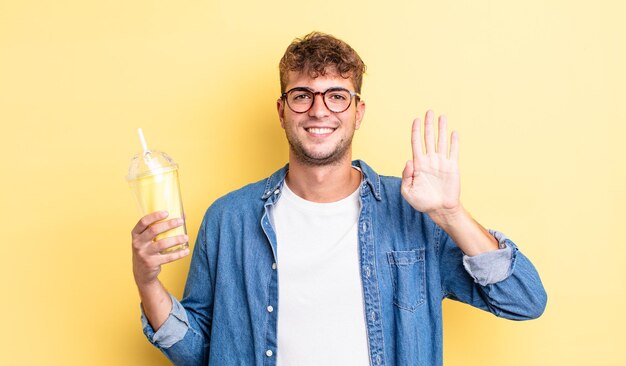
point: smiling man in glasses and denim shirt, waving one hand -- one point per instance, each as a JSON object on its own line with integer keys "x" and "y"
{"x": 326, "y": 262}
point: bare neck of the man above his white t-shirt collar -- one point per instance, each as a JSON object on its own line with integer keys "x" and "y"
{"x": 327, "y": 183}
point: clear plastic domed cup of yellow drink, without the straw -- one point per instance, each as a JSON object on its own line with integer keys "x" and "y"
{"x": 153, "y": 179}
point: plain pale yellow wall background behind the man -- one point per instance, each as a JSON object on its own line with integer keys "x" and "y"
{"x": 533, "y": 87}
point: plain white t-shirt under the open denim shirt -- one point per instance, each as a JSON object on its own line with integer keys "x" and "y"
{"x": 321, "y": 317}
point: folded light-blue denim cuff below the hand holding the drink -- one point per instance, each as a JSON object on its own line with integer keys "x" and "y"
{"x": 172, "y": 331}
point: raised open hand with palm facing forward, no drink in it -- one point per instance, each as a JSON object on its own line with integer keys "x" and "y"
{"x": 430, "y": 182}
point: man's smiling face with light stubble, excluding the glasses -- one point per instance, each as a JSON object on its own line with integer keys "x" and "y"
{"x": 320, "y": 137}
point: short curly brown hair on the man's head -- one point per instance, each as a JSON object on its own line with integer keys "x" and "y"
{"x": 318, "y": 53}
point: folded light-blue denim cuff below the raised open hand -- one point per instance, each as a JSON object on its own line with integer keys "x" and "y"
{"x": 494, "y": 266}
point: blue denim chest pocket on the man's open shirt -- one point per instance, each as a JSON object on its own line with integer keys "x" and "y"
{"x": 408, "y": 274}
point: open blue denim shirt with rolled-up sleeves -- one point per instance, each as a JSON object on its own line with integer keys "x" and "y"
{"x": 228, "y": 314}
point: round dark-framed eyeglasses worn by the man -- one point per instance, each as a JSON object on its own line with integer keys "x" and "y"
{"x": 301, "y": 99}
